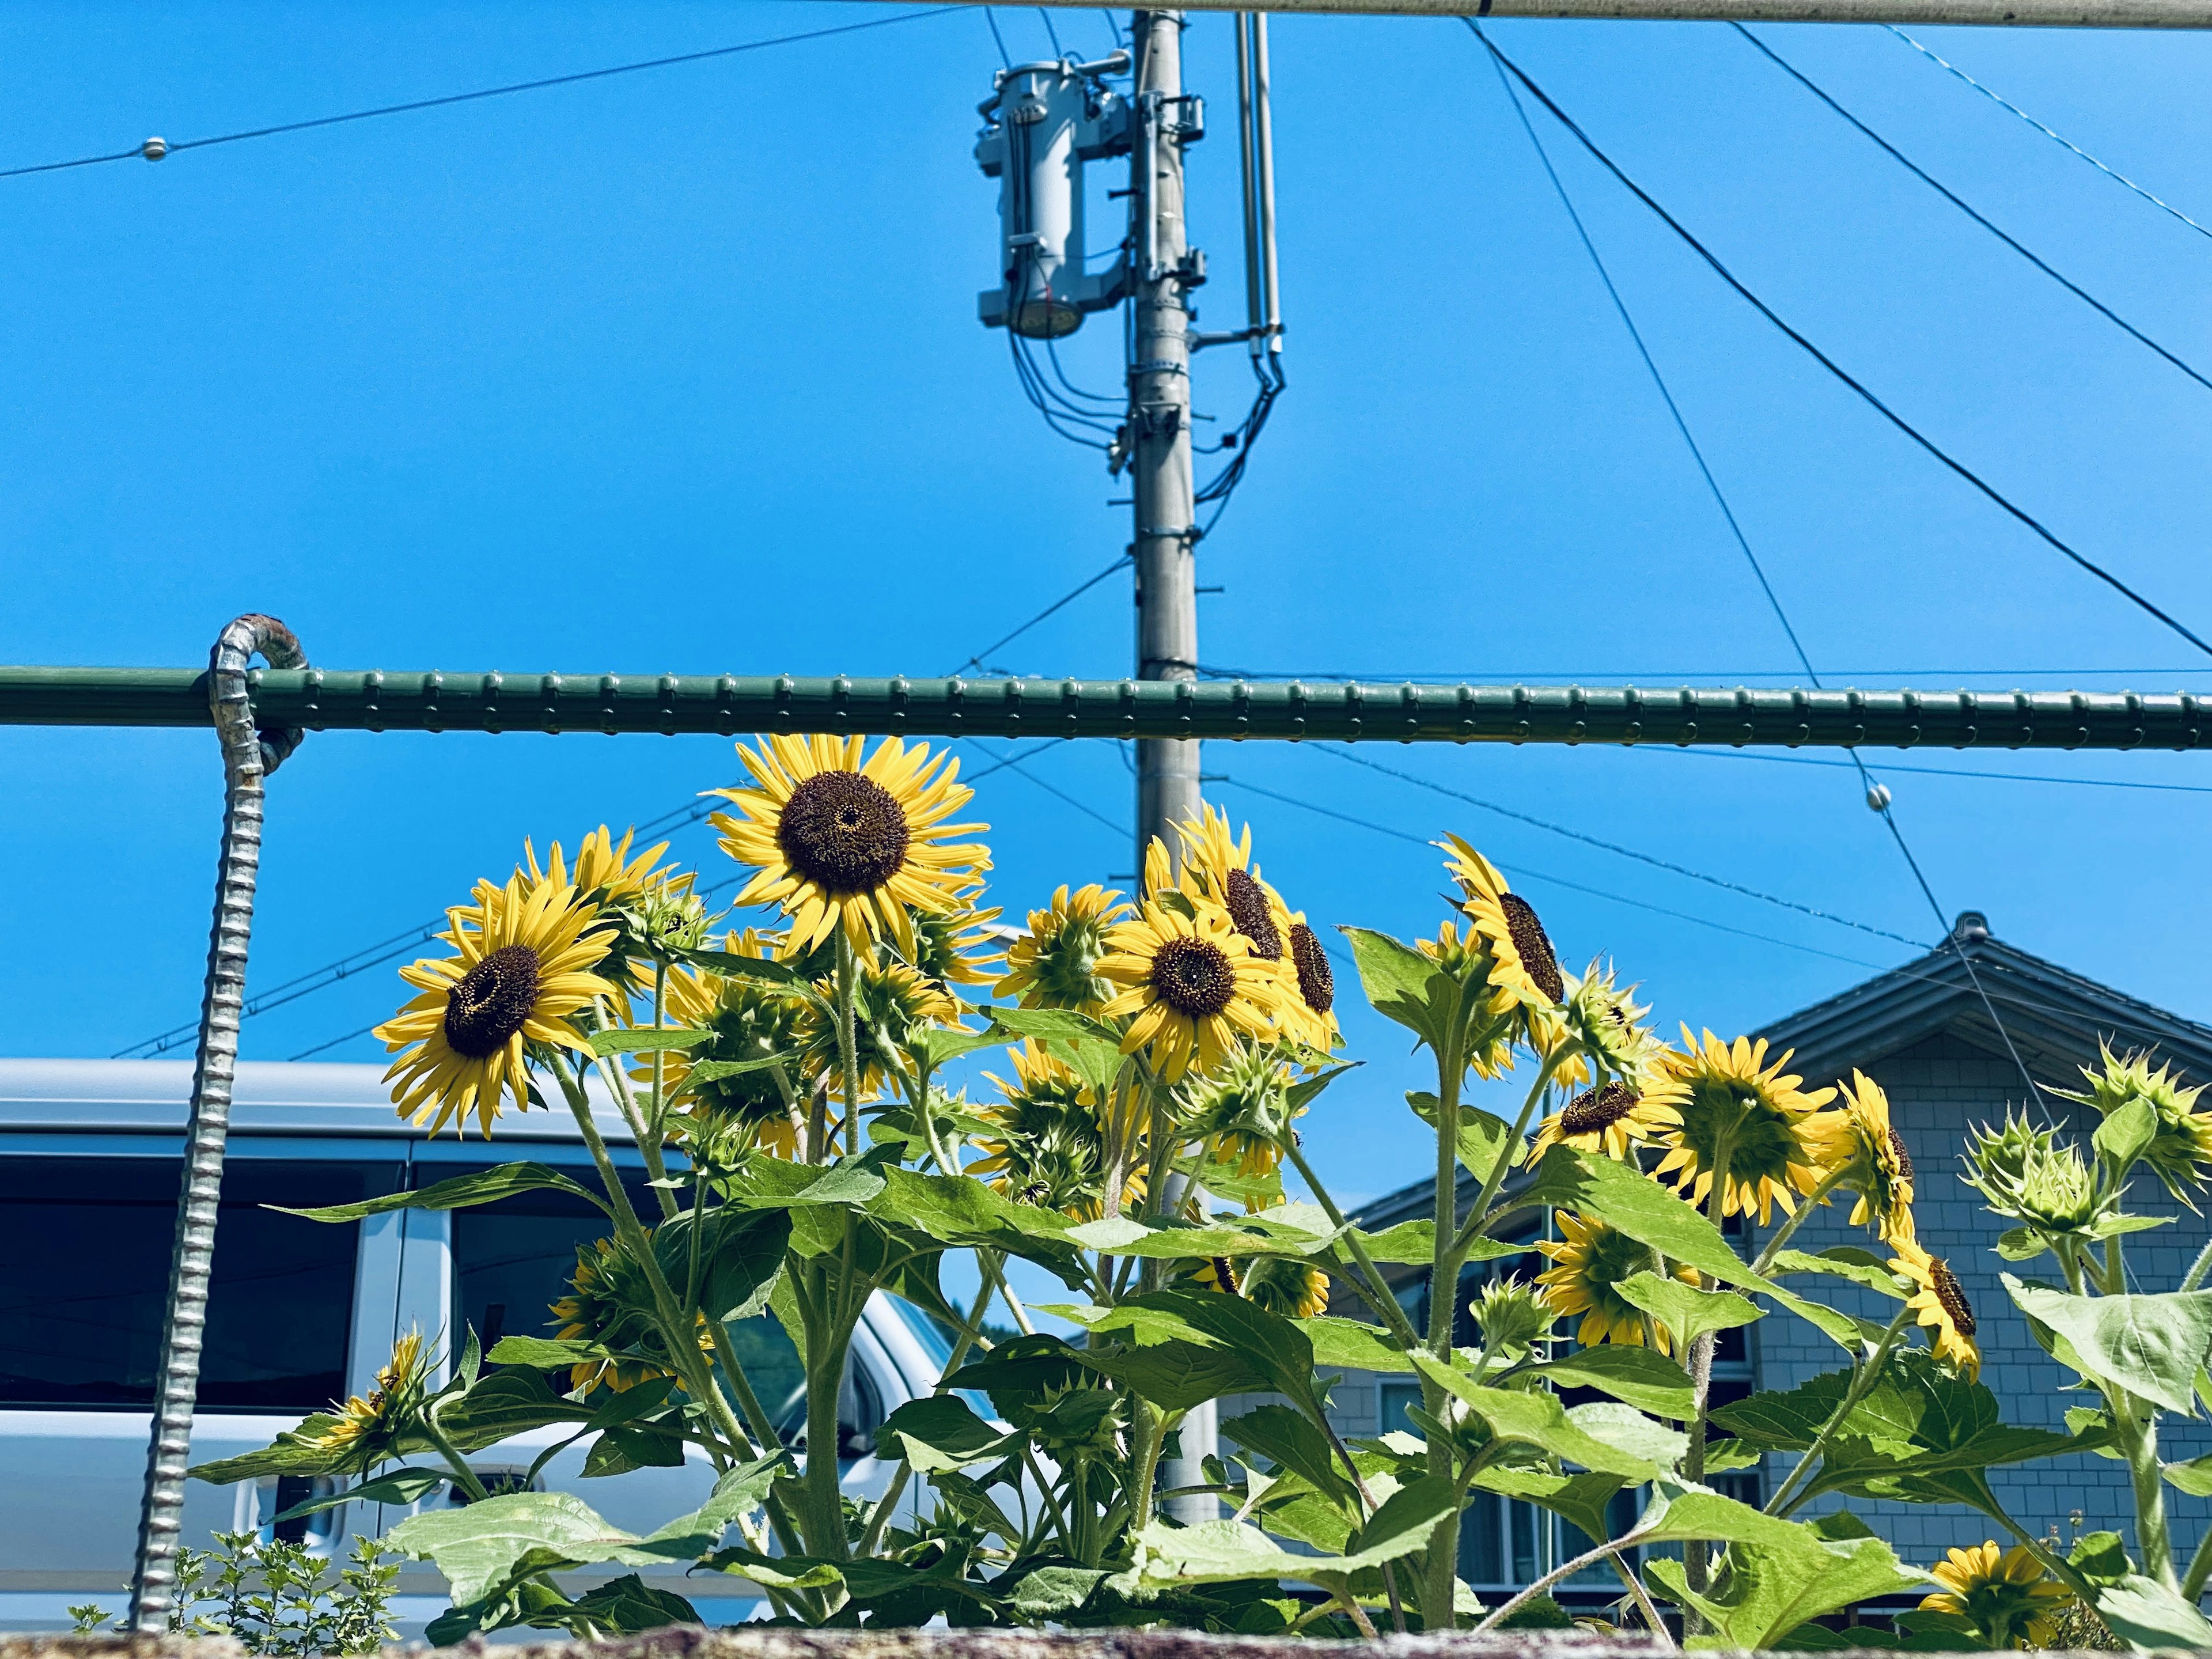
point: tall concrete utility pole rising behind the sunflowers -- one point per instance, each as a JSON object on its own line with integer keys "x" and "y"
{"x": 1165, "y": 541}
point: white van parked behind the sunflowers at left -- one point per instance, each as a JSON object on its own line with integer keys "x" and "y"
{"x": 302, "y": 1315}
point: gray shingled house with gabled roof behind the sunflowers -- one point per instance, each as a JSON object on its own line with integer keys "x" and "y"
{"x": 1928, "y": 1036}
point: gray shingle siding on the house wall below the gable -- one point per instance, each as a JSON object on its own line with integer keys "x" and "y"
{"x": 1939, "y": 1089}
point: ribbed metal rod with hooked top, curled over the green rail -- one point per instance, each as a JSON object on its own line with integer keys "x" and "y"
{"x": 249, "y": 755}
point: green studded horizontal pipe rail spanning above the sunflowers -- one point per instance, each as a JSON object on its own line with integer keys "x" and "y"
{"x": 731, "y": 705}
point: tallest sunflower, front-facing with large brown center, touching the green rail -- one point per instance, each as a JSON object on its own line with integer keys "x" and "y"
{"x": 851, "y": 846}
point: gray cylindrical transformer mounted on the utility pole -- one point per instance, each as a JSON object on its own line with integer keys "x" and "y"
{"x": 1041, "y": 125}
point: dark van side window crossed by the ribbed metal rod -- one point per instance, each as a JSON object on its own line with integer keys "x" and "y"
{"x": 85, "y": 1251}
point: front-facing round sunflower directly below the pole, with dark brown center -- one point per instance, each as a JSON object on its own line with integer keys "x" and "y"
{"x": 1191, "y": 985}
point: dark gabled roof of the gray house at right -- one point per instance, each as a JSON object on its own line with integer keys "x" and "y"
{"x": 2054, "y": 1019}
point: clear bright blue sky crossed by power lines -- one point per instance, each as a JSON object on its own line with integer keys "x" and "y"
{"x": 680, "y": 373}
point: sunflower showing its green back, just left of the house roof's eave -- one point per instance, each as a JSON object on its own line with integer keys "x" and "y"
{"x": 1735, "y": 1109}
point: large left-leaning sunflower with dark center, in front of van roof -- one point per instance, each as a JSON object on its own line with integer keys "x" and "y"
{"x": 517, "y": 977}
